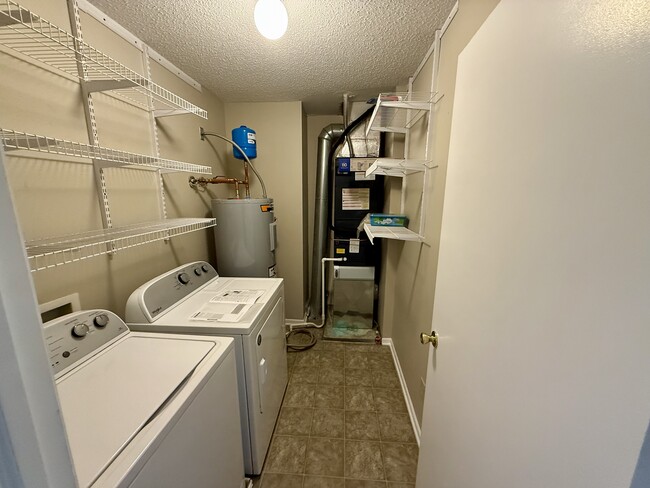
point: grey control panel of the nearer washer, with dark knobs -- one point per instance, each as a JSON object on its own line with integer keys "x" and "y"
{"x": 74, "y": 336}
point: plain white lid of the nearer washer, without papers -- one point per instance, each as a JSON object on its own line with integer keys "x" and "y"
{"x": 114, "y": 394}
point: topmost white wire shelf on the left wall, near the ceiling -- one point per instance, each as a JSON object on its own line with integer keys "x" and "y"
{"x": 29, "y": 34}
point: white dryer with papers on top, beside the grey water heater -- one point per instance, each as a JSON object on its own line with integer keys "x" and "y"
{"x": 193, "y": 299}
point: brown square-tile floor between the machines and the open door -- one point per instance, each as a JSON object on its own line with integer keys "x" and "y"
{"x": 343, "y": 422}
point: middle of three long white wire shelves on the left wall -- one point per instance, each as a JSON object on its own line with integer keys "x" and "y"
{"x": 15, "y": 140}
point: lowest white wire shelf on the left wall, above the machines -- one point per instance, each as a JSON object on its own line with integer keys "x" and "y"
{"x": 52, "y": 252}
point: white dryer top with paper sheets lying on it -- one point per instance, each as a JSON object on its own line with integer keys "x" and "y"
{"x": 237, "y": 317}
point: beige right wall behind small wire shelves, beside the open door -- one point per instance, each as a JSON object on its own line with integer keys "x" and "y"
{"x": 410, "y": 268}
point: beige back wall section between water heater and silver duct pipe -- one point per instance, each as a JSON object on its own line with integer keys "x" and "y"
{"x": 279, "y": 128}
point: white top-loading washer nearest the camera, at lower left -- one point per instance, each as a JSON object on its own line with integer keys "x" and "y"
{"x": 144, "y": 410}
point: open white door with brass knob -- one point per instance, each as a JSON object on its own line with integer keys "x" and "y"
{"x": 542, "y": 374}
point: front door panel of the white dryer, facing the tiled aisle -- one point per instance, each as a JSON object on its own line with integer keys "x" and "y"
{"x": 271, "y": 356}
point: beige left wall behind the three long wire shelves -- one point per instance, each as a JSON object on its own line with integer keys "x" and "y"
{"x": 59, "y": 197}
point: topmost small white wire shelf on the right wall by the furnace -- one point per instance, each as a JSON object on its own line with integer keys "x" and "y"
{"x": 398, "y": 112}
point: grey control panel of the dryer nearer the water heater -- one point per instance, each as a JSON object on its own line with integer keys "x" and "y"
{"x": 172, "y": 287}
